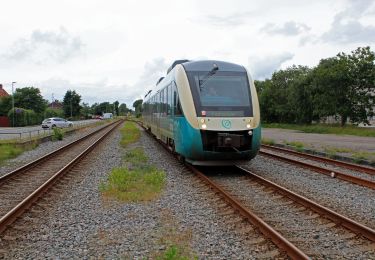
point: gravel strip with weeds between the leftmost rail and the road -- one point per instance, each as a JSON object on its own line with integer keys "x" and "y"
{"x": 43, "y": 149}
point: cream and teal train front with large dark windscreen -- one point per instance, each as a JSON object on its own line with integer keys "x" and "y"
{"x": 221, "y": 109}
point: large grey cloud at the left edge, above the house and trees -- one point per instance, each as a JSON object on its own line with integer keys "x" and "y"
{"x": 44, "y": 47}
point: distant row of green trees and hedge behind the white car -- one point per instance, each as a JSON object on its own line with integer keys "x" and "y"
{"x": 30, "y": 108}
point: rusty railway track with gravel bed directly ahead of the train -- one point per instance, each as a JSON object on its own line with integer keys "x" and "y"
{"x": 295, "y": 224}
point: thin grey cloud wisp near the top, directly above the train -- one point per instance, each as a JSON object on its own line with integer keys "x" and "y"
{"x": 235, "y": 19}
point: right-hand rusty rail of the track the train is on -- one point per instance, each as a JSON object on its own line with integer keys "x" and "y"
{"x": 350, "y": 224}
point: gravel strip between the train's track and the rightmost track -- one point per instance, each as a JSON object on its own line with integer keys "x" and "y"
{"x": 348, "y": 199}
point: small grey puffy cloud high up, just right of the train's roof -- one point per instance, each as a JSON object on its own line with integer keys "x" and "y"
{"x": 290, "y": 28}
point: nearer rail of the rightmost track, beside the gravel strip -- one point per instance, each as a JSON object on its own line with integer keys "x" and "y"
{"x": 333, "y": 173}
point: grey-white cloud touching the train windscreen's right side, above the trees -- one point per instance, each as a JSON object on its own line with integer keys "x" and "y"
{"x": 263, "y": 67}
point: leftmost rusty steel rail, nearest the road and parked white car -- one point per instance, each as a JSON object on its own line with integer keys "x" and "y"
{"x": 43, "y": 158}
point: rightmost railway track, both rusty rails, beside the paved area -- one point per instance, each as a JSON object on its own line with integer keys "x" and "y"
{"x": 356, "y": 174}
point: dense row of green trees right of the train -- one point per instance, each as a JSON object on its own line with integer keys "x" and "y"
{"x": 342, "y": 87}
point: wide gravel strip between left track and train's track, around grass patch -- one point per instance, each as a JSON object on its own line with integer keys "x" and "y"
{"x": 82, "y": 225}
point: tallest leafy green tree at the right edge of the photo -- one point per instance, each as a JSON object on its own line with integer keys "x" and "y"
{"x": 344, "y": 86}
